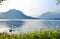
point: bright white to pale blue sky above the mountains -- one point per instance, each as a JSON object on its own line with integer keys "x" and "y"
{"x": 32, "y": 8}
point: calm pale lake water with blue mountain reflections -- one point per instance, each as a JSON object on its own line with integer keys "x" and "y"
{"x": 28, "y": 25}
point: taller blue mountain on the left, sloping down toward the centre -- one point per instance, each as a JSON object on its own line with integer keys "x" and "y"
{"x": 14, "y": 14}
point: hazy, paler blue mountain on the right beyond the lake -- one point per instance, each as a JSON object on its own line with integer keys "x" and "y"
{"x": 50, "y": 16}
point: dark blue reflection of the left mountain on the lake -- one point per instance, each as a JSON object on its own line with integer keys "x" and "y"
{"x": 14, "y": 24}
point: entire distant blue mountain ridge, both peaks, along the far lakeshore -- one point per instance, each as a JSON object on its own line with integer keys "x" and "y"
{"x": 16, "y": 14}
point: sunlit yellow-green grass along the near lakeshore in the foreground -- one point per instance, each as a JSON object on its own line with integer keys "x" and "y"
{"x": 47, "y": 34}
